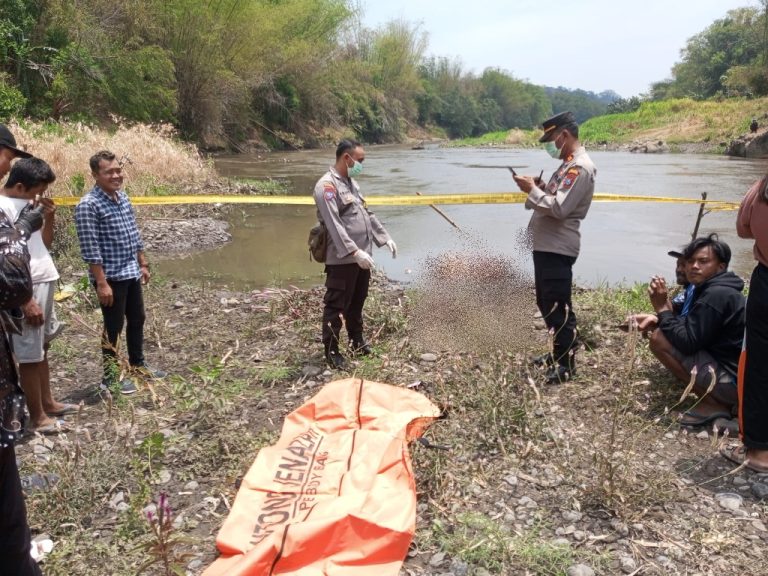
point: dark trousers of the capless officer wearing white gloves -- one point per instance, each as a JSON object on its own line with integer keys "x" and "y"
{"x": 346, "y": 290}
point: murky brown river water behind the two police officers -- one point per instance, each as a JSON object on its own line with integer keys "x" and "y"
{"x": 621, "y": 242}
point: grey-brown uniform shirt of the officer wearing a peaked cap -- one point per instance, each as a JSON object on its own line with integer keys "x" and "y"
{"x": 560, "y": 208}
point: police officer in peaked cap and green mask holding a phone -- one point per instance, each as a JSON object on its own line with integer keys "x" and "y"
{"x": 558, "y": 207}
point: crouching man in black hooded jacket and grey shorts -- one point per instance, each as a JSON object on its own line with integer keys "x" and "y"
{"x": 708, "y": 338}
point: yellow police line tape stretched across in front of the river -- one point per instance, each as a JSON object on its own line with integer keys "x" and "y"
{"x": 426, "y": 200}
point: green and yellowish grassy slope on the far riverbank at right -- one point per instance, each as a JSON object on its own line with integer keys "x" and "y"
{"x": 678, "y": 122}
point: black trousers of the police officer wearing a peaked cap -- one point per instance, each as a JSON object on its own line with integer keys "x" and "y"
{"x": 554, "y": 277}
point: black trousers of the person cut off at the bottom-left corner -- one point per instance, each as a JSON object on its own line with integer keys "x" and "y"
{"x": 14, "y": 530}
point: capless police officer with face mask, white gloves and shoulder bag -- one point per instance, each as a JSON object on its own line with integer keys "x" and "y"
{"x": 353, "y": 230}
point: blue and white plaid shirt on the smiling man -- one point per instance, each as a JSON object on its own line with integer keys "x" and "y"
{"x": 108, "y": 234}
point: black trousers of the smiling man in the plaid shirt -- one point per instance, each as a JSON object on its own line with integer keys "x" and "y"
{"x": 127, "y": 310}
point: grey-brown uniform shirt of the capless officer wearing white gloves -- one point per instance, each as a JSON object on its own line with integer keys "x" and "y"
{"x": 349, "y": 222}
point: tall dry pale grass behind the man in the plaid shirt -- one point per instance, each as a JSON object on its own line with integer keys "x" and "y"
{"x": 158, "y": 162}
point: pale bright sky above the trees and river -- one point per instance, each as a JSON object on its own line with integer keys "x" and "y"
{"x": 594, "y": 45}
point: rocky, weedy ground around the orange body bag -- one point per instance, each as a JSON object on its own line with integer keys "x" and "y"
{"x": 591, "y": 477}
